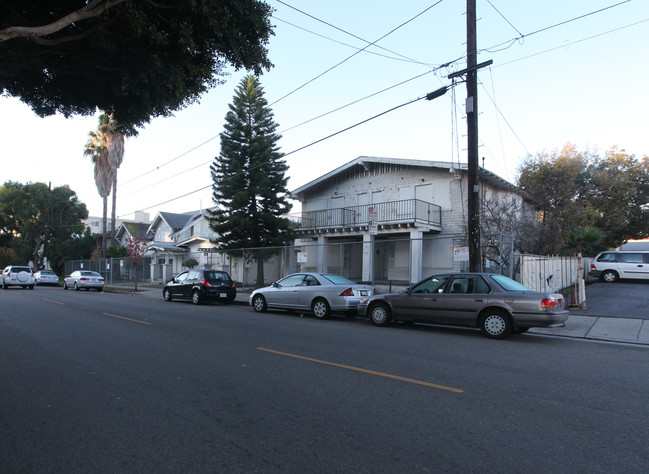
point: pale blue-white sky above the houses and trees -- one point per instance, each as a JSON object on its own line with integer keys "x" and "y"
{"x": 552, "y": 81}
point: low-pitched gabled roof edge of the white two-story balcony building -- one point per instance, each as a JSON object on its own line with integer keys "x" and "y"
{"x": 370, "y": 162}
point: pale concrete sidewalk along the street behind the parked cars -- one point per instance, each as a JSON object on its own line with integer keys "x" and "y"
{"x": 581, "y": 324}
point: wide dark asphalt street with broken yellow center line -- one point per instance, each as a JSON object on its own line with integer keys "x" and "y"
{"x": 107, "y": 382}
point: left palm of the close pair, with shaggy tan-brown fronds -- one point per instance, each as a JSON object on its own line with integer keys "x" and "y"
{"x": 97, "y": 149}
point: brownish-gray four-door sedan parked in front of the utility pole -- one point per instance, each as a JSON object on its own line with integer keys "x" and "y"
{"x": 496, "y": 304}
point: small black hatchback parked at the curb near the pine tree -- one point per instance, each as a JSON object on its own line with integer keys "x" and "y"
{"x": 201, "y": 285}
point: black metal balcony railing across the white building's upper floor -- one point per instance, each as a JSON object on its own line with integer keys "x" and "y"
{"x": 409, "y": 211}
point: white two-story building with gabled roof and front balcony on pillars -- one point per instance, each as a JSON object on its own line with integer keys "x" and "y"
{"x": 388, "y": 219}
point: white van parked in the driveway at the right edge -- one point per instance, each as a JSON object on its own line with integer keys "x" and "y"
{"x": 611, "y": 266}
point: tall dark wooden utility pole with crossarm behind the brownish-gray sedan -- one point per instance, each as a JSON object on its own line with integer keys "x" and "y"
{"x": 473, "y": 201}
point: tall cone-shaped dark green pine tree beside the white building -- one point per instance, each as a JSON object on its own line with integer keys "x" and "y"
{"x": 249, "y": 182}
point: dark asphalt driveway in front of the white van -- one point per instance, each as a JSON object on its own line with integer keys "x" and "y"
{"x": 623, "y": 299}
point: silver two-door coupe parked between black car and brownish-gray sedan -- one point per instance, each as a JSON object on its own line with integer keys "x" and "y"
{"x": 319, "y": 293}
